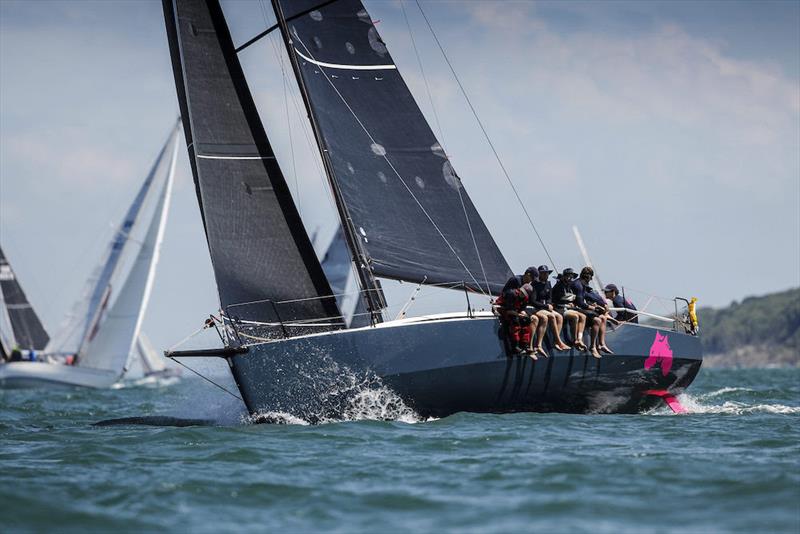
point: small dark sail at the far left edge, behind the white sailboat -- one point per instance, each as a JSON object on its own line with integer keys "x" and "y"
{"x": 26, "y": 328}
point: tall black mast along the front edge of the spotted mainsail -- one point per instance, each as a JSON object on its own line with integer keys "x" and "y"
{"x": 373, "y": 294}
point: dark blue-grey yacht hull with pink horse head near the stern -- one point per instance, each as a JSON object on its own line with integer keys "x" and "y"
{"x": 440, "y": 367}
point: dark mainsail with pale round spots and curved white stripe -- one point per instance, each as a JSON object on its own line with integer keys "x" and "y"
{"x": 407, "y": 205}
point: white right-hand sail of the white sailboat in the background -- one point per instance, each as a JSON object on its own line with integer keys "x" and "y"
{"x": 111, "y": 347}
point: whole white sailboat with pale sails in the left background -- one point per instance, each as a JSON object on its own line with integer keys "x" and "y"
{"x": 99, "y": 337}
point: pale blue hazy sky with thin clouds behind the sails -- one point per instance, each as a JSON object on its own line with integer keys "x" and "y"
{"x": 668, "y": 132}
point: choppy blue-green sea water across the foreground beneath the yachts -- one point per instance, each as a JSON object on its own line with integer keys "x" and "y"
{"x": 731, "y": 465}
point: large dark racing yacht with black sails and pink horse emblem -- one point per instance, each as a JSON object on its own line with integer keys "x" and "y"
{"x": 405, "y": 215}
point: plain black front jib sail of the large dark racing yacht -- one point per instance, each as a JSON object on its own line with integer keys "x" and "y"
{"x": 261, "y": 253}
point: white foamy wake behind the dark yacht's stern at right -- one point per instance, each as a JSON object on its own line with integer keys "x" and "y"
{"x": 708, "y": 403}
